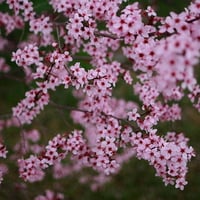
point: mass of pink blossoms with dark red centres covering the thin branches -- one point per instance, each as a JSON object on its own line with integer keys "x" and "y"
{"x": 154, "y": 55}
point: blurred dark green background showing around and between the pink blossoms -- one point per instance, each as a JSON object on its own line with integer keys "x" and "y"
{"x": 136, "y": 180}
